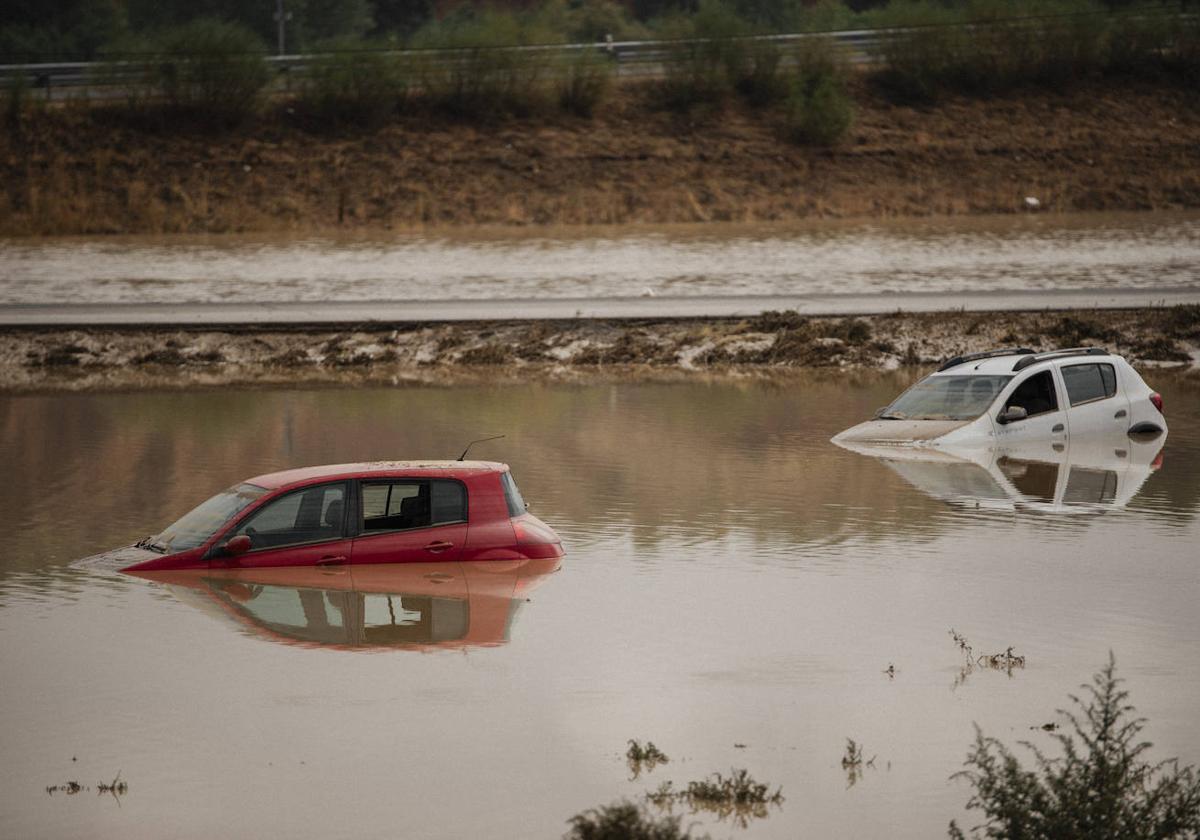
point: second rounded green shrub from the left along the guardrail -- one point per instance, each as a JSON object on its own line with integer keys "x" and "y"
{"x": 355, "y": 86}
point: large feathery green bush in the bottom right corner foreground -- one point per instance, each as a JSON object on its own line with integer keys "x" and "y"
{"x": 1101, "y": 789}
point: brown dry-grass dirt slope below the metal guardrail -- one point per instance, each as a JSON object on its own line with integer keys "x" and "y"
{"x": 1106, "y": 147}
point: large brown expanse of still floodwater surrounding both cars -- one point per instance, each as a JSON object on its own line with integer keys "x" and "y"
{"x": 733, "y": 579}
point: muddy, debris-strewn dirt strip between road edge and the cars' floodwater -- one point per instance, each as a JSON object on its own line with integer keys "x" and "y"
{"x": 100, "y": 359}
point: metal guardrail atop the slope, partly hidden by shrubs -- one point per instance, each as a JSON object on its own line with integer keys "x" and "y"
{"x": 632, "y": 58}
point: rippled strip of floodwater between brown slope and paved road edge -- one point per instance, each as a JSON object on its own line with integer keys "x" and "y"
{"x": 1022, "y": 254}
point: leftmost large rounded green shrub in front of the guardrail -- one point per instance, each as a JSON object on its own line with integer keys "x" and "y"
{"x": 212, "y": 70}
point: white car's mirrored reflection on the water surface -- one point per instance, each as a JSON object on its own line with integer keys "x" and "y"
{"x": 1081, "y": 476}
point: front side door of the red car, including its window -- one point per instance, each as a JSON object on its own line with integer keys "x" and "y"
{"x": 299, "y": 529}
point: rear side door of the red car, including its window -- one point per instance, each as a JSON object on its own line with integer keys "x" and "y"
{"x": 411, "y": 521}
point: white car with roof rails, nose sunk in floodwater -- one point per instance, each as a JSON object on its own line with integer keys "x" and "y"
{"x": 1012, "y": 397}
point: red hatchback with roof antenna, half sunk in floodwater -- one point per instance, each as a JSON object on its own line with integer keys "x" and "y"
{"x": 399, "y": 512}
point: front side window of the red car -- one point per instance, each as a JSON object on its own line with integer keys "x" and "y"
{"x": 308, "y": 515}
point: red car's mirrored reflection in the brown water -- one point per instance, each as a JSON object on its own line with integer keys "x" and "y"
{"x": 416, "y": 607}
